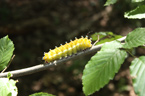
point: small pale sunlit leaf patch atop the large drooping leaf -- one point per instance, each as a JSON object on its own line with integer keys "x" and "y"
{"x": 111, "y": 45}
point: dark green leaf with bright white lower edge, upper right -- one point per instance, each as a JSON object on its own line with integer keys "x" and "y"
{"x": 137, "y": 13}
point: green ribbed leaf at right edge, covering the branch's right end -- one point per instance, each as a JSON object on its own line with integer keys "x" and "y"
{"x": 135, "y": 38}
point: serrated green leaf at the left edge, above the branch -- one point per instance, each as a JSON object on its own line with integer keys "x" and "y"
{"x": 6, "y": 51}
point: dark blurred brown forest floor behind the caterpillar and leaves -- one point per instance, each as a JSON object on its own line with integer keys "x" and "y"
{"x": 35, "y": 26}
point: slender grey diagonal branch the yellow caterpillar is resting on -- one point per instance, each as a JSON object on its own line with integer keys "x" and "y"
{"x": 41, "y": 67}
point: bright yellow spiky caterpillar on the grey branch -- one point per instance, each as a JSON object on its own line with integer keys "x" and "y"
{"x": 68, "y": 49}
